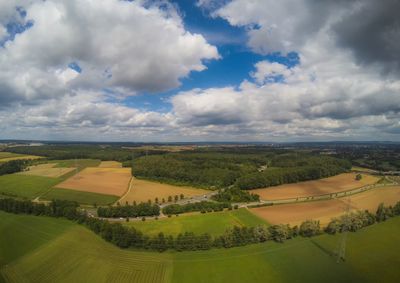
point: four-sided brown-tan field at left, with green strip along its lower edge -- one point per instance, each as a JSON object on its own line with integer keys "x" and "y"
{"x": 110, "y": 181}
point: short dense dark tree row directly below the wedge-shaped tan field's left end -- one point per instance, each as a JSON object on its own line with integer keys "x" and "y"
{"x": 135, "y": 210}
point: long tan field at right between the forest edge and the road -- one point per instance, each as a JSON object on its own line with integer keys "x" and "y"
{"x": 339, "y": 183}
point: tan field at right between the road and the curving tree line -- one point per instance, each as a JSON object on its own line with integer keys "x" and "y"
{"x": 325, "y": 210}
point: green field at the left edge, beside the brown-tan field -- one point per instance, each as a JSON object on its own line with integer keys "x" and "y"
{"x": 25, "y": 186}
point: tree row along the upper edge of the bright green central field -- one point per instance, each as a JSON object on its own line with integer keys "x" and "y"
{"x": 203, "y": 206}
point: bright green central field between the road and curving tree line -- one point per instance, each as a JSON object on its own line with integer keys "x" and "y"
{"x": 214, "y": 223}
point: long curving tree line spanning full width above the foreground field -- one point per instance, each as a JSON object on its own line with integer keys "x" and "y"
{"x": 125, "y": 237}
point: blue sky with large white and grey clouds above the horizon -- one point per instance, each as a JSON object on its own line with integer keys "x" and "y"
{"x": 201, "y": 70}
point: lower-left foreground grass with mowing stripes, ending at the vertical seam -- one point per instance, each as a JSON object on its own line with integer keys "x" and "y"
{"x": 54, "y": 250}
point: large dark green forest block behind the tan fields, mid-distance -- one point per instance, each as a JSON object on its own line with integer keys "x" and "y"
{"x": 242, "y": 170}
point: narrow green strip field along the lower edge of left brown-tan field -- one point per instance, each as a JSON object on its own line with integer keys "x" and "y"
{"x": 80, "y": 197}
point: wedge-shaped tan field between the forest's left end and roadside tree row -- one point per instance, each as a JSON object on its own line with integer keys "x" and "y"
{"x": 143, "y": 190}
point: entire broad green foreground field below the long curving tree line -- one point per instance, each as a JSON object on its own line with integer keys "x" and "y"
{"x": 54, "y": 250}
